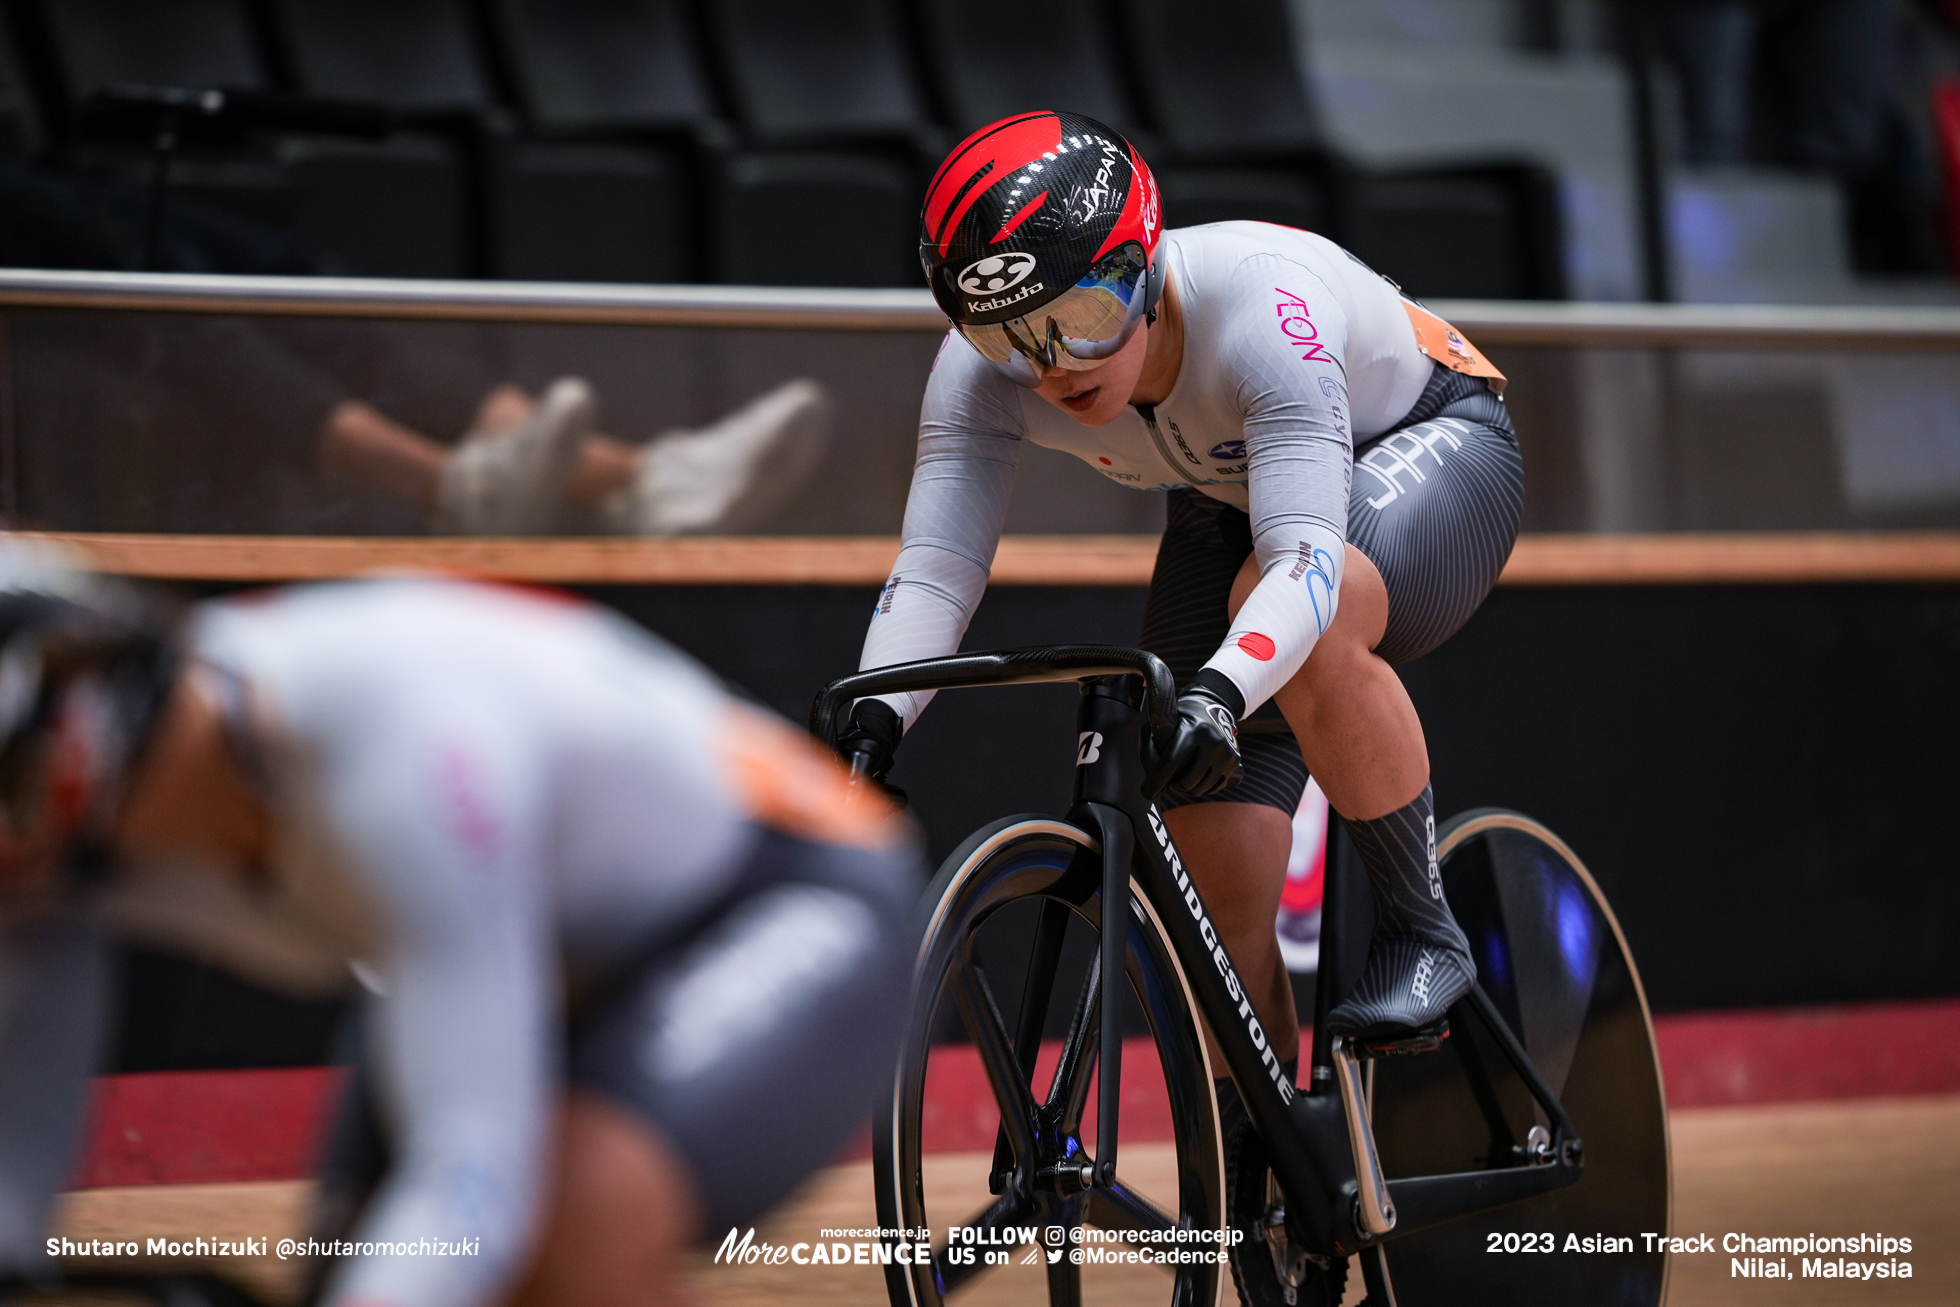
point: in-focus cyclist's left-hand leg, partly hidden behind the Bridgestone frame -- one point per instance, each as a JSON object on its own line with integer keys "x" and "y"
{"x": 1236, "y": 844}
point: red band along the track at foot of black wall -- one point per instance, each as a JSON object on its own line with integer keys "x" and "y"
{"x": 207, "y": 1128}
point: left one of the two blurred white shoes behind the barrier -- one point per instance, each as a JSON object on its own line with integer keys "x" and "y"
{"x": 511, "y": 481}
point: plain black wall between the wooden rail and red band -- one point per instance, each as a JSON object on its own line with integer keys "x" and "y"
{"x": 1761, "y": 777}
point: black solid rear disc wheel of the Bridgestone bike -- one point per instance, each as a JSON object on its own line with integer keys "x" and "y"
{"x": 1557, "y": 969}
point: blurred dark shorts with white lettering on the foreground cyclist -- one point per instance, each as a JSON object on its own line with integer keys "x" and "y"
{"x": 754, "y": 1038}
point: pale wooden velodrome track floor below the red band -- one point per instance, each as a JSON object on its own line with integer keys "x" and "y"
{"x": 1785, "y": 1169}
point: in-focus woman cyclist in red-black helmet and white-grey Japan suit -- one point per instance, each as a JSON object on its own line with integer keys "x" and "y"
{"x": 1344, "y": 493}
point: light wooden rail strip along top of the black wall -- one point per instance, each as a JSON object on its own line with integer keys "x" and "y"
{"x": 1022, "y": 561}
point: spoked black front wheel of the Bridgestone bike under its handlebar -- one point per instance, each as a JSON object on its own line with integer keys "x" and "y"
{"x": 1024, "y": 896}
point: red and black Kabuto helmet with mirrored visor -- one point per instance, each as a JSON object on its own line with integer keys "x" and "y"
{"x": 1040, "y": 240}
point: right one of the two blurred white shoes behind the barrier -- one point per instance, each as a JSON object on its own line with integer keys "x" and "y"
{"x": 732, "y": 475}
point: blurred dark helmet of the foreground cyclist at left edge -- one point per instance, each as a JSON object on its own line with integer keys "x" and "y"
{"x": 85, "y": 665}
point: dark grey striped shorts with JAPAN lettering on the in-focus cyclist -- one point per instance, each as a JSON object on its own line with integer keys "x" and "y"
{"x": 1434, "y": 507}
